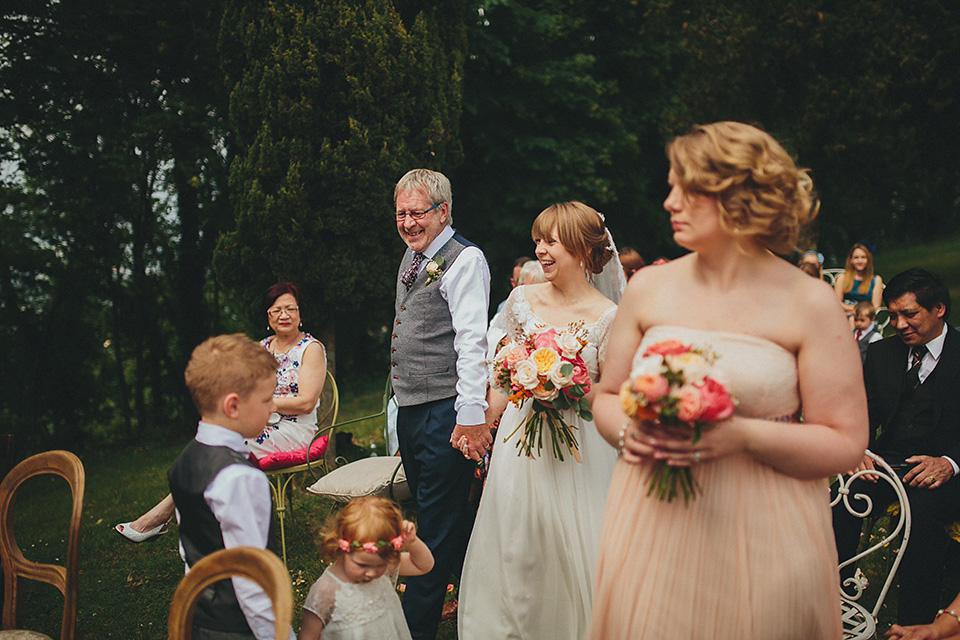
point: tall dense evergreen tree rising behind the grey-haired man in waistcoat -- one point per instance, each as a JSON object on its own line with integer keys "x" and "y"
{"x": 331, "y": 103}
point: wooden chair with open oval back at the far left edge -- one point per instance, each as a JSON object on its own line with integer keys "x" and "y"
{"x": 15, "y": 566}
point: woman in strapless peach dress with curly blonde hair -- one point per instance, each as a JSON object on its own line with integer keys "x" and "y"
{"x": 751, "y": 557}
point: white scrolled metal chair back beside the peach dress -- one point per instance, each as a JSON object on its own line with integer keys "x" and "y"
{"x": 862, "y": 506}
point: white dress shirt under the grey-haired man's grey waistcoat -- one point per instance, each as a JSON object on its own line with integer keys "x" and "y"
{"x": 465, "y": 285}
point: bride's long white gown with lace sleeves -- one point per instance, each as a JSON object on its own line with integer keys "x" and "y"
{"x": 530, "y": 563}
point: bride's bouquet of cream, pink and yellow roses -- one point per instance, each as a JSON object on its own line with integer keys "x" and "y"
{"x": 548, "y": 368}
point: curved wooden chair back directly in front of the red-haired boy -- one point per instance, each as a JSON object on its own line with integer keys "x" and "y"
{"x": 259, "y": 565}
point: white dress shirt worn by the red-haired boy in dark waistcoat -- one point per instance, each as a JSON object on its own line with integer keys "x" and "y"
{"x": 239, "y": 498}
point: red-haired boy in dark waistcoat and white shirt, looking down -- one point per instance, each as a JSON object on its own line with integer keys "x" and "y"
{"x": 222, "y": 500}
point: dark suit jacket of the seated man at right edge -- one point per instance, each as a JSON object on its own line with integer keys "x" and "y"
{"x": 884, "y": 372}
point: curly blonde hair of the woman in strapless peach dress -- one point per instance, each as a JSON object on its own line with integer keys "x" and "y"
{"x": 760, "y": 191}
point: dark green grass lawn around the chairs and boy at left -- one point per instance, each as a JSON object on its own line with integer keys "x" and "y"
{"x": 126, "y": 588}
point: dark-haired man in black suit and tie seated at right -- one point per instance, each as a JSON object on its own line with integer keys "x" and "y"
{"x": 913, "y": 395}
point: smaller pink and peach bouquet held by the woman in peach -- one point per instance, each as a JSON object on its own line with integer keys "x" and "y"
{"x": 672, "y": 384}
